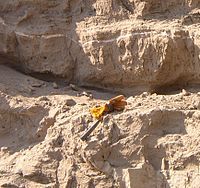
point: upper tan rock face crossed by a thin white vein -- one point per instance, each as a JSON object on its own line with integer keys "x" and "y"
{"x": 133, "y": 44}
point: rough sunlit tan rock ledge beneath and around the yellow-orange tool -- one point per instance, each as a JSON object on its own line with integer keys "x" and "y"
{"x": 154, "y": 142}
